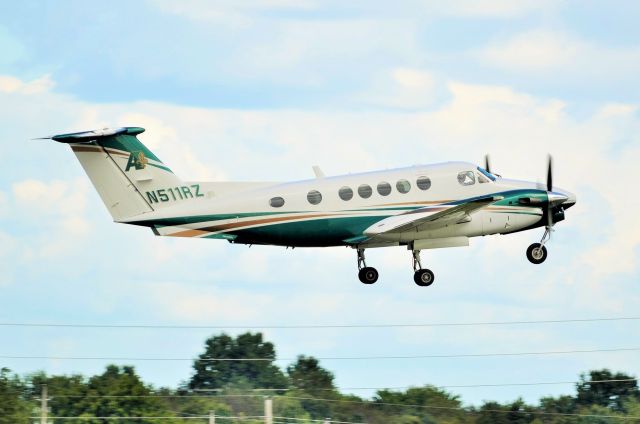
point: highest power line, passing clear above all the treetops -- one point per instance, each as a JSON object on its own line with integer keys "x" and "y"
{"x": 312, "y": 326}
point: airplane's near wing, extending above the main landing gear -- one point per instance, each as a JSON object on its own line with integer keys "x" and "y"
{"x": 431, "y": 217}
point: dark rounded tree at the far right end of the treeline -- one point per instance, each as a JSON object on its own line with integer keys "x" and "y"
{"x": 611, "y": 394}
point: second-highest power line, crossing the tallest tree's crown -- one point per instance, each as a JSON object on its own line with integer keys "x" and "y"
{"x": 326, "y": 358}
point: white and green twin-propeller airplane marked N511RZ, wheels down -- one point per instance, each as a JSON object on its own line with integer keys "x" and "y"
{"x": 419, "y": 207}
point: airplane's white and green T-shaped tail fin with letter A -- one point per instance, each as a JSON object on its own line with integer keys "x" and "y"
{"x": 129, "y": 178}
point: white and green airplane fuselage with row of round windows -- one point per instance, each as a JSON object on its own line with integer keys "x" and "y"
{"x": 242, "y": 212}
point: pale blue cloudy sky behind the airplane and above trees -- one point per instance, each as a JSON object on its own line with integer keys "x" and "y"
{"x": 264, "y": 90}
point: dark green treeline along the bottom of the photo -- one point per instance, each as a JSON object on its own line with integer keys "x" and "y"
{"x": 304, "y": 390}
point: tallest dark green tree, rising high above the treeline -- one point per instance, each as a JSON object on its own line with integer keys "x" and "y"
{"x": 211, "y": 374}
